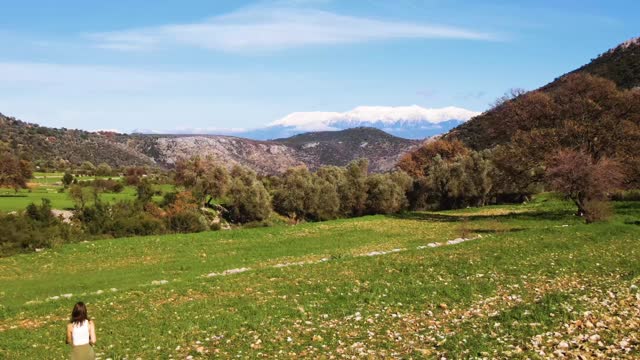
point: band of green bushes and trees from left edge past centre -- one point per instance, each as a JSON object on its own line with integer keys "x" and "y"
{"x": 207, "y": 196}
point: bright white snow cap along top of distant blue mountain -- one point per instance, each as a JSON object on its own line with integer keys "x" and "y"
{"x": 386, "y": 116}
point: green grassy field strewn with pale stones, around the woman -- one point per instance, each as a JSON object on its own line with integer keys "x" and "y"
{"x": 536, "y": 280}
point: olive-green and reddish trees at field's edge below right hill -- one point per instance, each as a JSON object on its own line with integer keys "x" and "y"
{"x": 449, "y": 175}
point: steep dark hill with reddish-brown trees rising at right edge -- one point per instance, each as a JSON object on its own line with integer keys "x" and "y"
{"x": 602, "y": 96}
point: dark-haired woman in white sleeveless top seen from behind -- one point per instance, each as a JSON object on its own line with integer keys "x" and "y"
{"x": 81, "y": 334}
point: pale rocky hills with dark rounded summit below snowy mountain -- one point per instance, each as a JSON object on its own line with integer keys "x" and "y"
{"x": 313, "y": 149}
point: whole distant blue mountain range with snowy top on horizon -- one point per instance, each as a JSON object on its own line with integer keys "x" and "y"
{"x": 410, "y": 122}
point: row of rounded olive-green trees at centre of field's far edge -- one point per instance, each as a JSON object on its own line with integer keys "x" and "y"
{"x": 331, "y": 192}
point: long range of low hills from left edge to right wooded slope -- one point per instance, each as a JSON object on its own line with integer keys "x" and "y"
{"x": 267, "y": 157}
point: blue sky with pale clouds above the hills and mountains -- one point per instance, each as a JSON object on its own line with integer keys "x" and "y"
{"x": 170, "y": 65}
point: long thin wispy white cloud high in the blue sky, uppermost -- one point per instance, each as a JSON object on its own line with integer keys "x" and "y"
{"x": 265, "y": 29}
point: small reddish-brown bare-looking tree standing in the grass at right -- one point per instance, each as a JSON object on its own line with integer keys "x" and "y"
{"x": 586, "y": 181}
